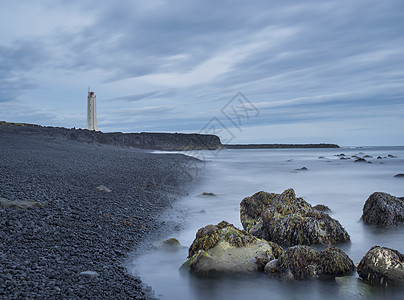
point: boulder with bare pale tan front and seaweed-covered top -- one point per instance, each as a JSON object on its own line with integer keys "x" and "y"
{"x": 223, "y": 248}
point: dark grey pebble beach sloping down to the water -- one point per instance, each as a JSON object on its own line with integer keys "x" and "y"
{"x": 75, "y": 246}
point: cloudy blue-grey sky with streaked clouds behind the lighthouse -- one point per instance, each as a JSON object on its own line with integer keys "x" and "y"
{"x": 248, "y": 71}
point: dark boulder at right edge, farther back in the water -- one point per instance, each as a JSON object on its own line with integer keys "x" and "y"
{"x": 383, "y": 209}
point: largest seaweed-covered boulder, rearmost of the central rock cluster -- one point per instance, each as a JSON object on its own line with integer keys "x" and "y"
{"x": 287, "y": 220}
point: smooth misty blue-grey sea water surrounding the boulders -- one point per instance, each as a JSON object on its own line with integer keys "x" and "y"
{"x": 232, "y": 175}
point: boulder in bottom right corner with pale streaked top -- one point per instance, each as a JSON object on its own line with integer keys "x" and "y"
{"x": 383, "y": 267}
